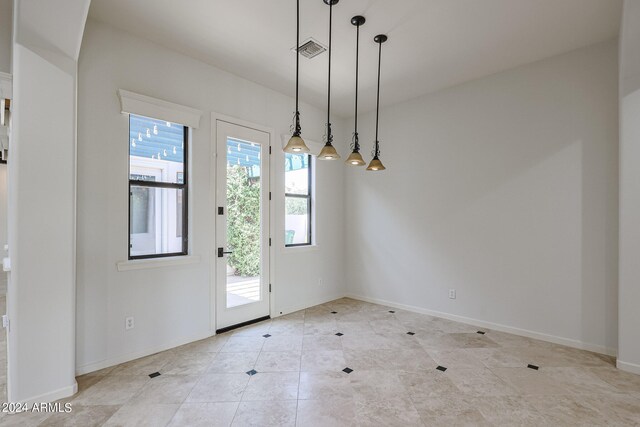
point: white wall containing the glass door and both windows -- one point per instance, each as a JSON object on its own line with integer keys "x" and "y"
{"x": 171, "y": 304}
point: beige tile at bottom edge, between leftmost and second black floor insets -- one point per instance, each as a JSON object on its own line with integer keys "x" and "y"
{"x": 218, "y": 414}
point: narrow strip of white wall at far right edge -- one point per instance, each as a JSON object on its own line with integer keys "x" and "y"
{"x": 629, "y": 318}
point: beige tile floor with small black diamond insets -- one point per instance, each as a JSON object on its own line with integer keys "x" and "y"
{"x": 394, "y": 382}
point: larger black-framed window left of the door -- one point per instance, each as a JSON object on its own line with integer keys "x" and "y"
{"x": 157, "y": 188}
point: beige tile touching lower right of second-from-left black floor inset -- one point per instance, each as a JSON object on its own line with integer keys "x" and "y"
{"x": 272, "y": 386}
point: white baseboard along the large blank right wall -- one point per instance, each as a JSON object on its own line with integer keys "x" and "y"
{"x": 495, "y": 326}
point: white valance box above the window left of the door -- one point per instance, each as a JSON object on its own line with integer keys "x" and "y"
{"x": 142, "y": 105}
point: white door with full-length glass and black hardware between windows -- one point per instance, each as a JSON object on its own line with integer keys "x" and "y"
{"x": 242, "y": 226}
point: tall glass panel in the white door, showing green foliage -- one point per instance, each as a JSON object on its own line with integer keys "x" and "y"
{"x": 244, "y": 222}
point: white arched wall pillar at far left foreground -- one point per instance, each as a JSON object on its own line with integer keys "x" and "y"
{"x": 41, "y": 200}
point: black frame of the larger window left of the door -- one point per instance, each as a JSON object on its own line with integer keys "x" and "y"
{"x": 155, "y": 184}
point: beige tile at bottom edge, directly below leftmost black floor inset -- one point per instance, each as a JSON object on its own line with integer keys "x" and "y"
{"x": 146, "y": 415}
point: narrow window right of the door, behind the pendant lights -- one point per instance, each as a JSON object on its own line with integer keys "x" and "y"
{"x": 297, "y": 181}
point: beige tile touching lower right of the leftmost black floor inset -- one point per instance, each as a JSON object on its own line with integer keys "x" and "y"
{"x": 166, "y": 389}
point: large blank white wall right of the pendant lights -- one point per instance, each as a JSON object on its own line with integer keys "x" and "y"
{"x": 504, "y": 189}
